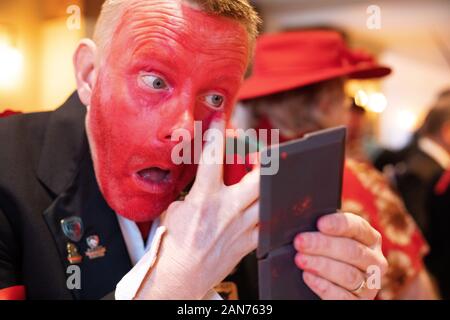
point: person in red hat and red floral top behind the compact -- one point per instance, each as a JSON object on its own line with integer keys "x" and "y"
{"x": 297, "y": 86}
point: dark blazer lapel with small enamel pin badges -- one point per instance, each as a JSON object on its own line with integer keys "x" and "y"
{"x": 67, "y": 171}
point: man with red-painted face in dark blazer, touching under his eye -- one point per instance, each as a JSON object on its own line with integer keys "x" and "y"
{"x": 83, "y": 187}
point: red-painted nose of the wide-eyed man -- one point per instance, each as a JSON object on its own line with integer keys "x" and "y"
{"x": 181, "y": 120}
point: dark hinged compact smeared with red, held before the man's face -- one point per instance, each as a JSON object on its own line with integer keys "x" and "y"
{"x": 308, "y": 185}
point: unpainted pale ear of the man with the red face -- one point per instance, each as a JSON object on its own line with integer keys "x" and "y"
{"x": 84, "y": 61}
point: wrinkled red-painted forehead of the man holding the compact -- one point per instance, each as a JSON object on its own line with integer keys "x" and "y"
{"x": 179, "y": 23}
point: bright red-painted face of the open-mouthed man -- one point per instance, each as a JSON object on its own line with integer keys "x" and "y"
{"x": 168, "y": 65}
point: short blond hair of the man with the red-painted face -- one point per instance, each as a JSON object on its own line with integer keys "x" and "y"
{"x": 239, "y": 10}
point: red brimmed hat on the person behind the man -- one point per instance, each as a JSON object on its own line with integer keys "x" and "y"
{"x": 291, "y": 60}
